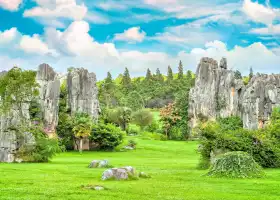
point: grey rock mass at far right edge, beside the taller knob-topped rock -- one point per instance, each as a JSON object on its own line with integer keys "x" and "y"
{"x": 259, "y": 98}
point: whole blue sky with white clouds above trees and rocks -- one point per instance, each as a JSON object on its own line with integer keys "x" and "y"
{"x": 109, "y": 35}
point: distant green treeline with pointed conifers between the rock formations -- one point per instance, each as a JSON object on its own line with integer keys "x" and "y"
{"x": 154, "y": 90}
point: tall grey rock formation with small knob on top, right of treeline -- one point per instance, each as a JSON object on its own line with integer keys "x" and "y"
{"x": 216, "y": 92}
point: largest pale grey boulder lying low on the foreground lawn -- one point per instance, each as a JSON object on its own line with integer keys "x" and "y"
{"x": 122, "y": 173}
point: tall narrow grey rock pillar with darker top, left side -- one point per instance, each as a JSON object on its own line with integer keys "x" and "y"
{"x": 49, "y": 92}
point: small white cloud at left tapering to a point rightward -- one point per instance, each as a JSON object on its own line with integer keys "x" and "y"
{"x": 35, "y": 45}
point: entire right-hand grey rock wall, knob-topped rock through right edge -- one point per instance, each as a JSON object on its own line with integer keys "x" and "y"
{"x": 217, "y": 93}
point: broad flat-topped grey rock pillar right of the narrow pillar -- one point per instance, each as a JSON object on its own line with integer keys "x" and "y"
{"x": 83, "y": 92}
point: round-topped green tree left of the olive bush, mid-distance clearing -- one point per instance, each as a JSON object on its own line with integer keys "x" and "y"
{"x": 120, "y": 116}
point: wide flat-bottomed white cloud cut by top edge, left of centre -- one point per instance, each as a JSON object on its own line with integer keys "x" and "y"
{"x": 57, "y": 9}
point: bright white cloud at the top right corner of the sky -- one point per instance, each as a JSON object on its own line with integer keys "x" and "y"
{"x": 259, "y": 13}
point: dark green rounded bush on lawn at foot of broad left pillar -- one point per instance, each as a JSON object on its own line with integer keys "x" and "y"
{"x": 106, "y": 136}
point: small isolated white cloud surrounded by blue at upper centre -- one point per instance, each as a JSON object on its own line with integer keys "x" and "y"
{"x": 133, "y": 34}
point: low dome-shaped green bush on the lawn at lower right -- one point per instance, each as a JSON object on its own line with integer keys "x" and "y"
{"x": 236, "y": 164}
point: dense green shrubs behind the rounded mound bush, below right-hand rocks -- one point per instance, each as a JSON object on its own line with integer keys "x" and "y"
{"x": 228, "y": 135}
